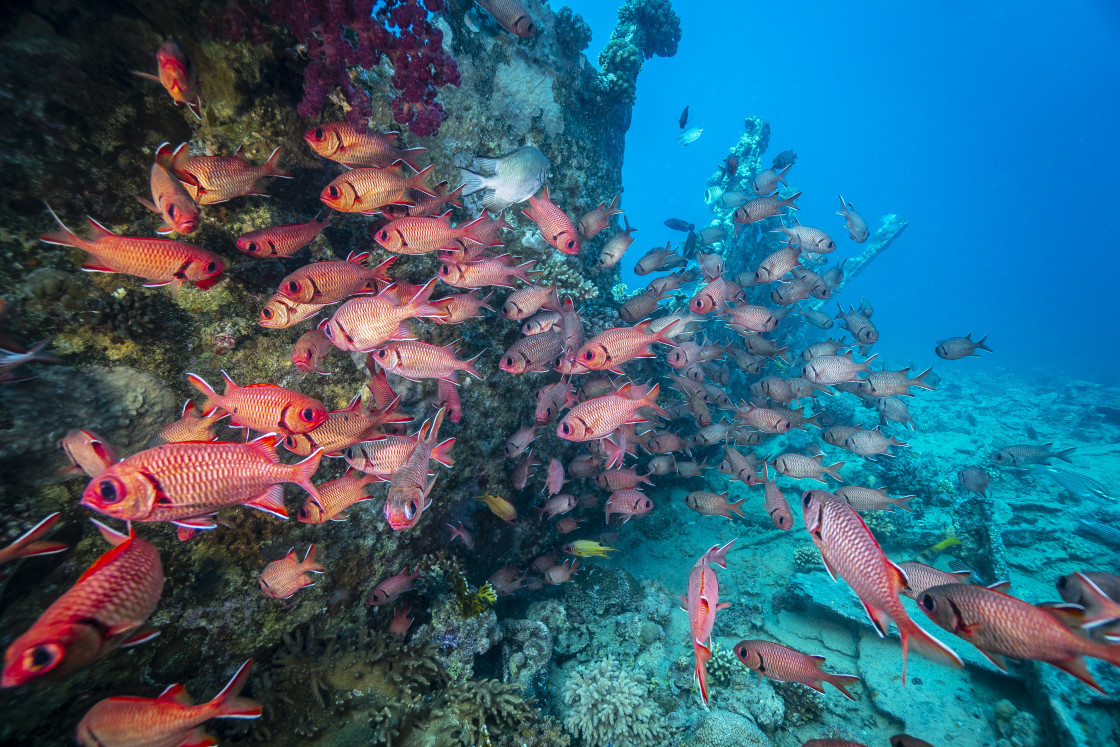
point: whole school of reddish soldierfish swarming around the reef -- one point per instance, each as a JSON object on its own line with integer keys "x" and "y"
{"x": 186, "y": 475}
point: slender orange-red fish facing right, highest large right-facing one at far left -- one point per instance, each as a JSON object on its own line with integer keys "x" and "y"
{"x": 160, "y": 262}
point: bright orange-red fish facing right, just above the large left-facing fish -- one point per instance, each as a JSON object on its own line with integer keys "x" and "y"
{"x": 265, "y": 408}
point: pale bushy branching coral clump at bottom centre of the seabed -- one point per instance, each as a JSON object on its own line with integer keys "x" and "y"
{"x": 608, "y": 706}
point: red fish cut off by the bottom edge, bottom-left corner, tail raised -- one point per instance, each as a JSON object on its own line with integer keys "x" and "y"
{"x": 169, "y": 721}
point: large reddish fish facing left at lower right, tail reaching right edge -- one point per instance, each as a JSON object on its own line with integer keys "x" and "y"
{"x": 1000, "y": 625}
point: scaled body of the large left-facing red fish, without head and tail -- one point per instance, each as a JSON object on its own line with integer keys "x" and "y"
{"x": 201, "y": 479}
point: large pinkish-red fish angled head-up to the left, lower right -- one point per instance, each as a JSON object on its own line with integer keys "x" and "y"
{"x": 850, "y": 550}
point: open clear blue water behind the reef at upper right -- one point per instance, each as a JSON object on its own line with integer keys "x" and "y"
{"x": 991, "y": 127}
